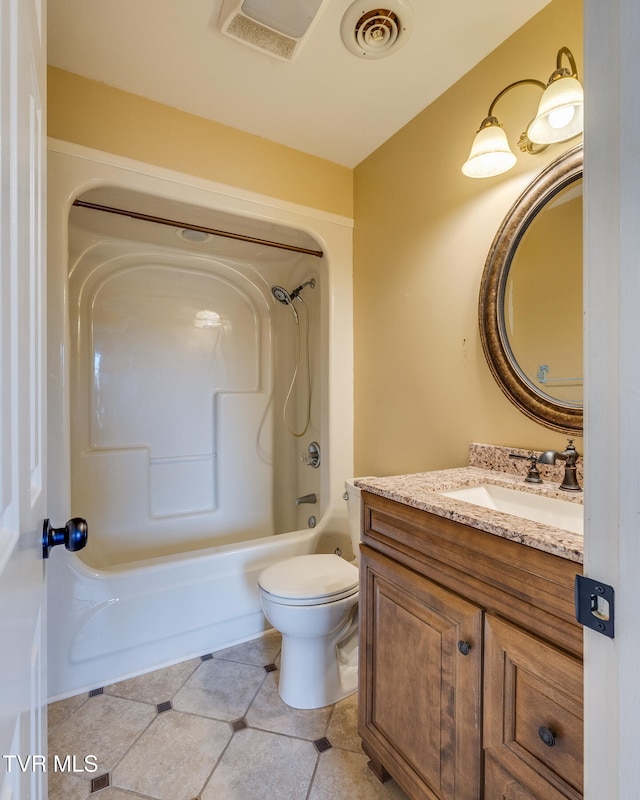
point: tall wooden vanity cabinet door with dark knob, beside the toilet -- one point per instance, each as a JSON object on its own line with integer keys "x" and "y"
{"x": 420, "y": 682}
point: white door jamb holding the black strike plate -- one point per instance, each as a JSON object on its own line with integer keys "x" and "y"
{"x": 612, "y": 430}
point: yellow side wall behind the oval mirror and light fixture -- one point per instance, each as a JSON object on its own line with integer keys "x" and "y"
{"x": 422, "y": 234}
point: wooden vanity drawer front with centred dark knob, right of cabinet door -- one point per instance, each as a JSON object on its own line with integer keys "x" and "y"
{"x": 533, "y": 726}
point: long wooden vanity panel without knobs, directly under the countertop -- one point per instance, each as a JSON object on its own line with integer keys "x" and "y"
{"x": 532, "y": 588}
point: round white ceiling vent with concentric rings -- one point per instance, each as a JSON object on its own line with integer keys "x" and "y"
{"x": 376, "y": 32}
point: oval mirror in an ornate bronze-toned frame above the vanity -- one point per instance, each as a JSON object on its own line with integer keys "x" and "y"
{"x": 530, "y": 309}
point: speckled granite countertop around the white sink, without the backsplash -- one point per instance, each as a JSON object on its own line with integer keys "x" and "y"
{"x": 422, "y": 490}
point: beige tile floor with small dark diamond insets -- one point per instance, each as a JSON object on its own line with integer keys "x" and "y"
{"x": 208, "y": 729}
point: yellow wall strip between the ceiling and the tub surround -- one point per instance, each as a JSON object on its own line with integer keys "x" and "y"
{"x": 96, "y": 115}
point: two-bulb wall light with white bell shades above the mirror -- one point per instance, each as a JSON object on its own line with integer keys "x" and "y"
{"x": 559, "y": 118}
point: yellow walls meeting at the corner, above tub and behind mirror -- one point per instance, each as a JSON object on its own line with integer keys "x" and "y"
{"x": 422, "y": 233}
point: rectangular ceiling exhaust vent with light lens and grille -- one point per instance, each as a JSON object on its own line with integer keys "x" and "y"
{"x": 276, "y": 27}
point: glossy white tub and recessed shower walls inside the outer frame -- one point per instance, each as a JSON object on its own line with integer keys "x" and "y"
{"x": 198, "y": 419}
